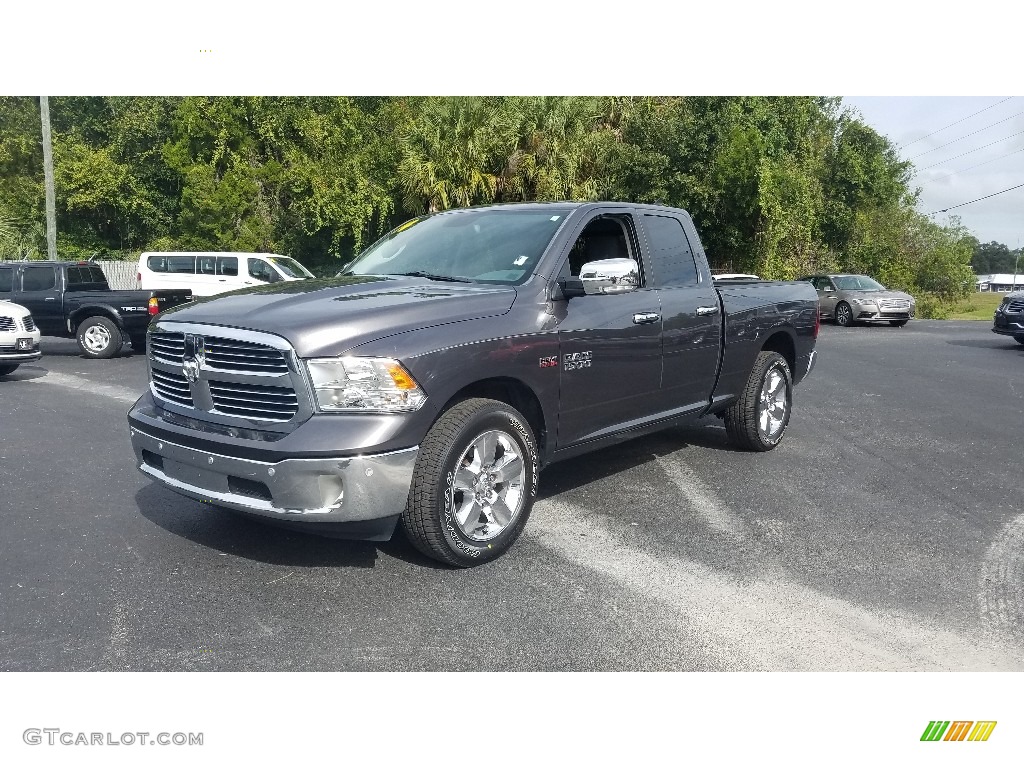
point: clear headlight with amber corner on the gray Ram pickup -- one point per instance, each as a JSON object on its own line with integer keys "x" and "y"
{"x": 363, "y": 385}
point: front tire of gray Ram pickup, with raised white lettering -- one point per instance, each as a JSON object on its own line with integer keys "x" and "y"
{"x": 432, "y": 517}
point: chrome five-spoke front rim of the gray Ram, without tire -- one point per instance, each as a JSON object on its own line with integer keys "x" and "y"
{"x": 488, "y": 486}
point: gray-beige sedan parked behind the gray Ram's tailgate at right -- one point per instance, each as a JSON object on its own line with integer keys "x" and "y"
{"x": 858, "y": 298}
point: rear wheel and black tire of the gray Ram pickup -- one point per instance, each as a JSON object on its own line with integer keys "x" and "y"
{"x": 743, "y": 419}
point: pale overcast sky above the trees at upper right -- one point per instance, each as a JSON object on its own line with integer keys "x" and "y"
{"x": 964, "y": 148}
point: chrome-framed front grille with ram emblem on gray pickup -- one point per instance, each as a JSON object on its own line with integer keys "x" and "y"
{"x": 232, "y": 376}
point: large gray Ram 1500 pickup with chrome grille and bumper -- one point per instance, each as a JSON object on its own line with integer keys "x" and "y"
{"x": 449, "y": 364}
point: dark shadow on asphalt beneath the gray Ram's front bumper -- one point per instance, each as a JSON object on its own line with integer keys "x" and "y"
{"x": 241, "y": 536}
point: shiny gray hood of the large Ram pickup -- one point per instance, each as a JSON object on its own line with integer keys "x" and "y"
{"x": 330, "y": 317}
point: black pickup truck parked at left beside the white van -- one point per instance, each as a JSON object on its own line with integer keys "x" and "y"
{"x": 73, "y": 301}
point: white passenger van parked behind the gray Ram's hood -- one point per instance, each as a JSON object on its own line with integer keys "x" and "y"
{"x": 207, "y": 274}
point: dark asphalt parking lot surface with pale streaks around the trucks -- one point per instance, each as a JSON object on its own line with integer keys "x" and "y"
{"x": 886, "y": 533}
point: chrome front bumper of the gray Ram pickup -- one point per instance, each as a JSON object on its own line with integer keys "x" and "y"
{"x": 334, "y": 490}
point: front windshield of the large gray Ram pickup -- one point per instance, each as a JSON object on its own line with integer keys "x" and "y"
{"x": 485, "y": 246}
